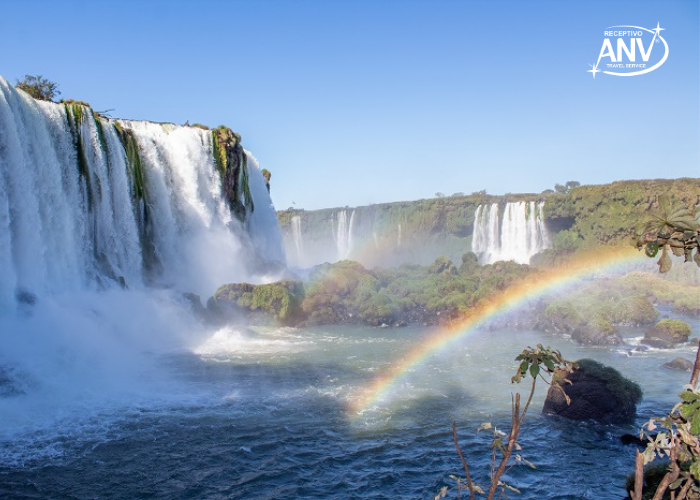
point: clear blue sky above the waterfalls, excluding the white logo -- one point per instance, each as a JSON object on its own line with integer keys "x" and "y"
{"x": 351, "y": 103}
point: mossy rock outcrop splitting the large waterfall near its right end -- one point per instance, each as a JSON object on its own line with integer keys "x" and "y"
{"x": 232, "y": 165}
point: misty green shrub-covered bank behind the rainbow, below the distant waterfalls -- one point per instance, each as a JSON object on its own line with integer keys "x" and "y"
{"x": 346, "y": 292}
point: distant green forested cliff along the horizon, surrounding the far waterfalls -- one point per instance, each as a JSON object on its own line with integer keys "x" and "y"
{"x": 582, "y": 218}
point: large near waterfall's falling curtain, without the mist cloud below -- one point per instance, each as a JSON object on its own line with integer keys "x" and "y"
{"x": 88, "y": 202}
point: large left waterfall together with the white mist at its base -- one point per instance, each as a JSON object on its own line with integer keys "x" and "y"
{"x": 92, "y": 276}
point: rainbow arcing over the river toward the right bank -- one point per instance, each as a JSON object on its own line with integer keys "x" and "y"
{"x": 579, "y": 268}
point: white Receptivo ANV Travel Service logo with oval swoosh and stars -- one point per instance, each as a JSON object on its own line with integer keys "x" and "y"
{"x": 630, "y": 51}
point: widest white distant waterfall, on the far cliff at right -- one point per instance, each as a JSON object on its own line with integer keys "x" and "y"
{"x": 518, "y": 234}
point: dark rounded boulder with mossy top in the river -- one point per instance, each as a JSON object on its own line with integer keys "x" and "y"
{"x": 597, "y": 392}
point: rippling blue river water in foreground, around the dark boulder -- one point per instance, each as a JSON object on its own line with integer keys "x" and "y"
{"x": 266, "y": 414}
